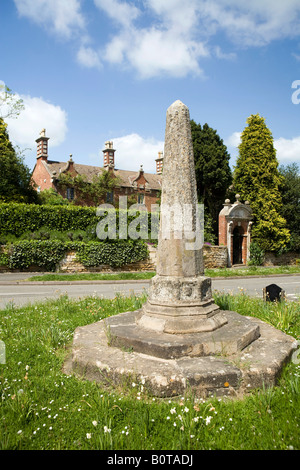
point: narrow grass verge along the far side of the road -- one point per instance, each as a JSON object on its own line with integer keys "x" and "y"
{"x": 225, "y": 272}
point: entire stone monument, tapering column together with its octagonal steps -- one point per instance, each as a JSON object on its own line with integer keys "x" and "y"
{"x": 180, "y": 339}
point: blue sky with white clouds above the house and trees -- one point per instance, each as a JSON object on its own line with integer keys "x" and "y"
{"x": 95, "y": 70}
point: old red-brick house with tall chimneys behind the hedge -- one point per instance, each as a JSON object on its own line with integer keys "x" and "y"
{"x": 138, "y": 186}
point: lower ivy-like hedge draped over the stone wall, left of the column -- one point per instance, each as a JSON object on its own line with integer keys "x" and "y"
{"x": 47, "y": 254}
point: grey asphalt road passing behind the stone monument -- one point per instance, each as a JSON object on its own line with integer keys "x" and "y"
{"x": 13, "y": 289}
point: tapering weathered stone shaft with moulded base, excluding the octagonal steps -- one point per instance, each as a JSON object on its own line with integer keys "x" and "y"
{"x": 180, "y": 299}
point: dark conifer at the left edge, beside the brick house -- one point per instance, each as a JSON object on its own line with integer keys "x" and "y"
{"x": 15, "y": 177}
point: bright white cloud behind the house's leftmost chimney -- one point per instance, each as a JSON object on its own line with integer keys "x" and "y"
{"x": 38, "y": 114}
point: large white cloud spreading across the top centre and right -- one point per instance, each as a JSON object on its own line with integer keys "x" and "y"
{"x": 177, "y": 38}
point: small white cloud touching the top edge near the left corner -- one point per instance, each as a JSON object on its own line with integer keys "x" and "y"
{"x": 61, "y": 16}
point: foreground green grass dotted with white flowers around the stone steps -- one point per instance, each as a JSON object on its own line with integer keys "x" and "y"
{"x": 42, "y": 408}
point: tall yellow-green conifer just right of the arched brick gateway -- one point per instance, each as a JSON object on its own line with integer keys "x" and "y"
{"x": 257, "y": 179}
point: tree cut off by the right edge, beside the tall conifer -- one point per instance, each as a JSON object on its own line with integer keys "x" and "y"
{"x": 290, "y": 193}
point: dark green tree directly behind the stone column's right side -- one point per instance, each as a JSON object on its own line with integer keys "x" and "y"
{"x": 213, "y": 173}
